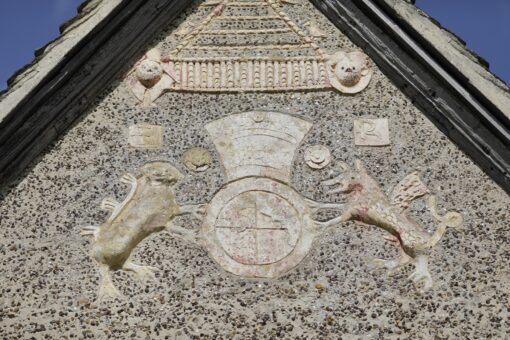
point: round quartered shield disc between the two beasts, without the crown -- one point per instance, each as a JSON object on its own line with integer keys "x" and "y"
{"x": 255, "y": 227}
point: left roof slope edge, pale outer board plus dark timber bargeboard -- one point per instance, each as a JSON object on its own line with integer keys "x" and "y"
{"x": 102, "y": 42}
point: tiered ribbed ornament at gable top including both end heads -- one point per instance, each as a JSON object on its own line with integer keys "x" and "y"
{"x": 250, "y": 59}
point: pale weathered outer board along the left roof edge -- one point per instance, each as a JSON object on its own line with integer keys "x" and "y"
{"x": 48, "y": 57}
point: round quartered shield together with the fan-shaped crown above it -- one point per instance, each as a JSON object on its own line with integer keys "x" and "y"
{"x": 257, "y": 225}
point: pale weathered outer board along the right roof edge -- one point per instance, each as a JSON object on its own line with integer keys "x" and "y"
{"x": 453, "y": 51}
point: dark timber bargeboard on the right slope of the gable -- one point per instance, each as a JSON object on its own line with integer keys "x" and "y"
{"x": 441, "y": 92}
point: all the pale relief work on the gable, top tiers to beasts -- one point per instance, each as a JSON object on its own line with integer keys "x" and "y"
{"x": 257, "y": 225}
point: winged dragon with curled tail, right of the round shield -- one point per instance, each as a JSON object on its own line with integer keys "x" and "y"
{"x": 367, "y": 203}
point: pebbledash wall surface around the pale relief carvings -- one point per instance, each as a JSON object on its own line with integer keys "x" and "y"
{"x": 49, "y": 283}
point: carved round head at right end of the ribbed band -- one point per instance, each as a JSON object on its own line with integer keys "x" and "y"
{"x": 350, "y": 72}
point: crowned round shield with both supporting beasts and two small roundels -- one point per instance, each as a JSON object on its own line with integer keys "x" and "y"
{"x": 257, "y": 225}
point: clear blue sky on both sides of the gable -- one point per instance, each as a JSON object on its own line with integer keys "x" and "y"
{"x": 26, "y": 25}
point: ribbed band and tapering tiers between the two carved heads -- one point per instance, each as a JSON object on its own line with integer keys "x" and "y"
{"x": 255, "y": 69}
